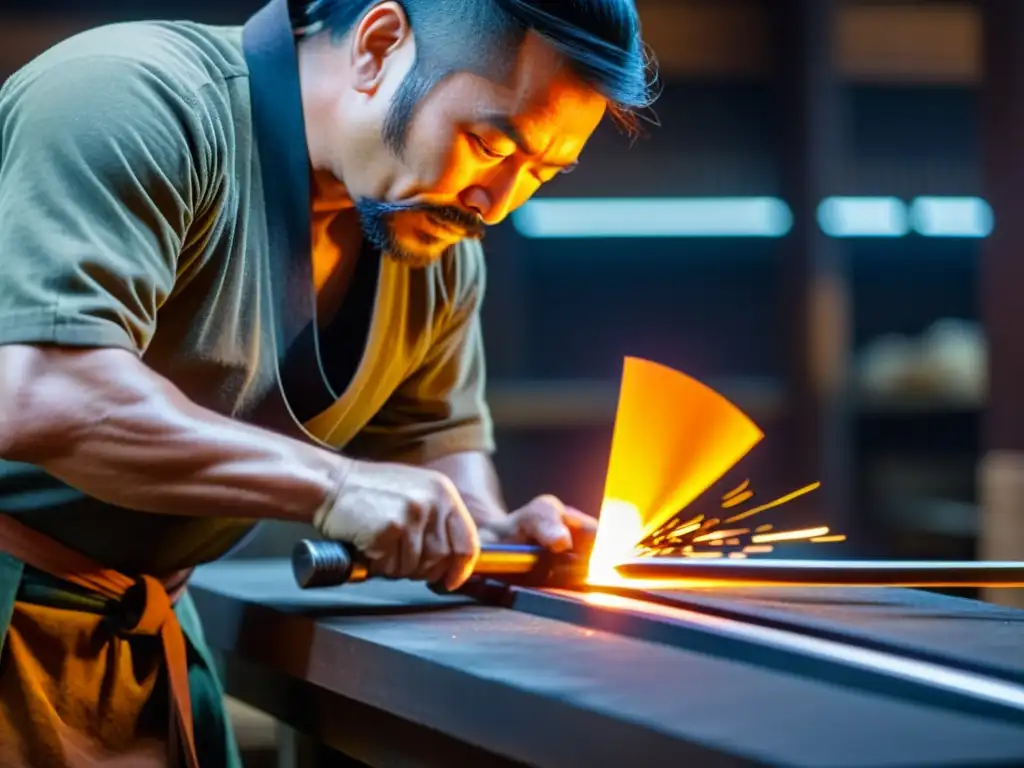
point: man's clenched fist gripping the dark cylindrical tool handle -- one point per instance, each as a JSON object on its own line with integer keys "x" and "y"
{"x": 408, "y": 522}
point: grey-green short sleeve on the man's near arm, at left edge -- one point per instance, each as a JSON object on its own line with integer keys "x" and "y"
{"x": 98, "y": 190}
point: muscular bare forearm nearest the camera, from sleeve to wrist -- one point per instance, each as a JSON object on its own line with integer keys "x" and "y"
{"x": 105, "y": 423}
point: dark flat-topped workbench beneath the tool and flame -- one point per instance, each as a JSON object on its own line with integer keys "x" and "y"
{"x": 394, "y": 675}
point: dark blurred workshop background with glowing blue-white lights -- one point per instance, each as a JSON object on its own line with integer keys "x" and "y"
{"x": 806, "y": 230}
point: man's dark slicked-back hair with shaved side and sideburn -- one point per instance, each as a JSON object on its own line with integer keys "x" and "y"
{"x": 600, "y": 38}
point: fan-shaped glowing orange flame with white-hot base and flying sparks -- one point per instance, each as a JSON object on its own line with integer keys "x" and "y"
{"x": 674, "y": 439}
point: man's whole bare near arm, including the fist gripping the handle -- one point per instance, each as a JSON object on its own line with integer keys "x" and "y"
{"x": 105, "y": 423}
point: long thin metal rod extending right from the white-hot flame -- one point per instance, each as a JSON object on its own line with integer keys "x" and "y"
{"x": 686, "y": 572}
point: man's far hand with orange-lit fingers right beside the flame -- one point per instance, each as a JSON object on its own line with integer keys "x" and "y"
{"x": 545, "y": 522}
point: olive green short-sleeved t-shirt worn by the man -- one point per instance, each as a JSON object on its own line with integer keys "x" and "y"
{"x": 133, "y": 217}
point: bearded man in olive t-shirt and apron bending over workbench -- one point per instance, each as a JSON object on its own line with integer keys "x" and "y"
{"x": 242, "y": 281}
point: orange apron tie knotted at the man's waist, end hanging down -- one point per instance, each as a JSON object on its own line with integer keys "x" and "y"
{"x": 146, "y": 600}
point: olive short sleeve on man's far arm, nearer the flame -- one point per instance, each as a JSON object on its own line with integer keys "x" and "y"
{"x": 441, "y": 409}
